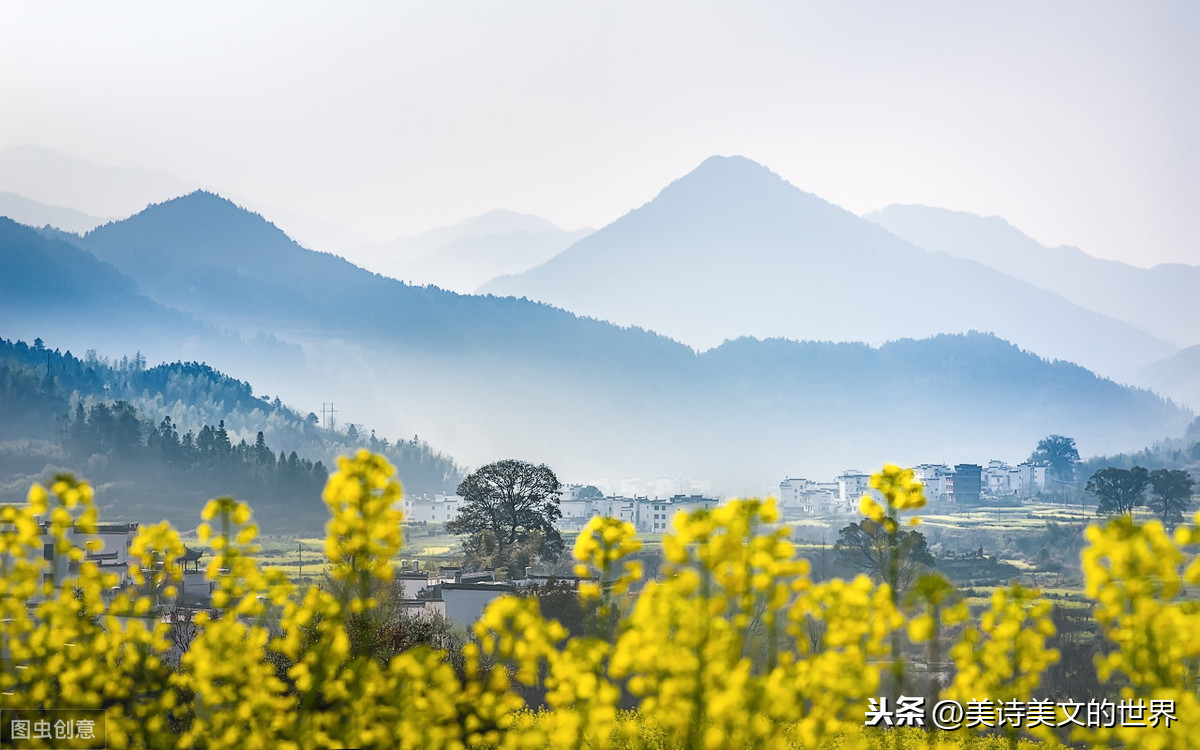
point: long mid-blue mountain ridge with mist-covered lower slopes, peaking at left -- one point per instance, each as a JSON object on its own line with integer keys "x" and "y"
{"x": 488, "y": 379}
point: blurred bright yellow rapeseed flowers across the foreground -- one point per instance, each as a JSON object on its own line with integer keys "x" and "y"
{"x": 733, "y": 646}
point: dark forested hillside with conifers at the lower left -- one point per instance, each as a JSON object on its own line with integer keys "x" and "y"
{"x": 130, "y": 429}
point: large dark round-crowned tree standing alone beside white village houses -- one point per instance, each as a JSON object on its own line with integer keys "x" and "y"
{"x": 508, "y": 503}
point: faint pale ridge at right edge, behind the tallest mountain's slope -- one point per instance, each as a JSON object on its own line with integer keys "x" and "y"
{"x": 1161, "y": 301}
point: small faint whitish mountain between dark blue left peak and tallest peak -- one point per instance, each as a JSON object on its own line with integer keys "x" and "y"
{"x": 464, "y": 256}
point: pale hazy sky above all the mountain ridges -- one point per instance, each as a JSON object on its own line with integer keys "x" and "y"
{"x": 1077, "y": 122}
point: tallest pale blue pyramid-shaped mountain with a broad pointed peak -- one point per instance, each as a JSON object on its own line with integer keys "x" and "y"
{"x": 734, "y": 250}
